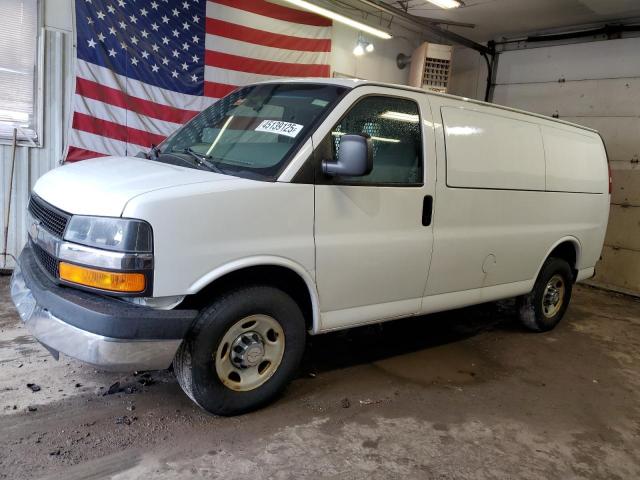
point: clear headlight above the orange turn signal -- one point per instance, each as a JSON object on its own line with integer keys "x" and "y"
{"x": 117, "y": 234}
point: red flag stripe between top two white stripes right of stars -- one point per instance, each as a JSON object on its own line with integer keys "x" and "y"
{"x": 268, "y": 39}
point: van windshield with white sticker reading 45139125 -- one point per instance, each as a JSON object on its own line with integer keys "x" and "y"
{"x": 253, "y": 131}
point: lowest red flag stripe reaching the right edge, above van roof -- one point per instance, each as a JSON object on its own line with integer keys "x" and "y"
{"x": 264, "y": 67}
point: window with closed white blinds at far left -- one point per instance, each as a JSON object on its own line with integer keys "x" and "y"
{"x": 18, "y": 61}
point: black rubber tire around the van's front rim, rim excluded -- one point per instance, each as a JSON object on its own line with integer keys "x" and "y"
{"x": 194, "y": 363}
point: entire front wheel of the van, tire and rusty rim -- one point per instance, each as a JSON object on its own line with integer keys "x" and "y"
{"x": 242, "y": 350}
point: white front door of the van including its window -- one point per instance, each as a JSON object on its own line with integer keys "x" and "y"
{"x": 373, "y": 233}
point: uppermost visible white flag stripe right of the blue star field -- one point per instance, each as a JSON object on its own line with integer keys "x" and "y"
{"x": 267, "y": 24}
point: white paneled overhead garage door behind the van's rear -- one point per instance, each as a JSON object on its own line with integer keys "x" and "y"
{"x": 596, "y": 84}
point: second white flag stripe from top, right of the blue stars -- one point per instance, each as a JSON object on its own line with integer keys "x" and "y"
{"x": 260, "y": 52}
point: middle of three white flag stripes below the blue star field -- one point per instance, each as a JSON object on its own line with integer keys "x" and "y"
{"x": 124, "y": 117}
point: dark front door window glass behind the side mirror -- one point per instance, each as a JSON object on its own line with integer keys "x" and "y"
{"x": 394, "y": 127}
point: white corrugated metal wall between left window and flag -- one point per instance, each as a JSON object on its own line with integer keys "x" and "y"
{"x": 33, "y": 162}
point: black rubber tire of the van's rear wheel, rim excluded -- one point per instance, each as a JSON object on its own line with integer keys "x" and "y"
{"x": 531, "y": 307}
